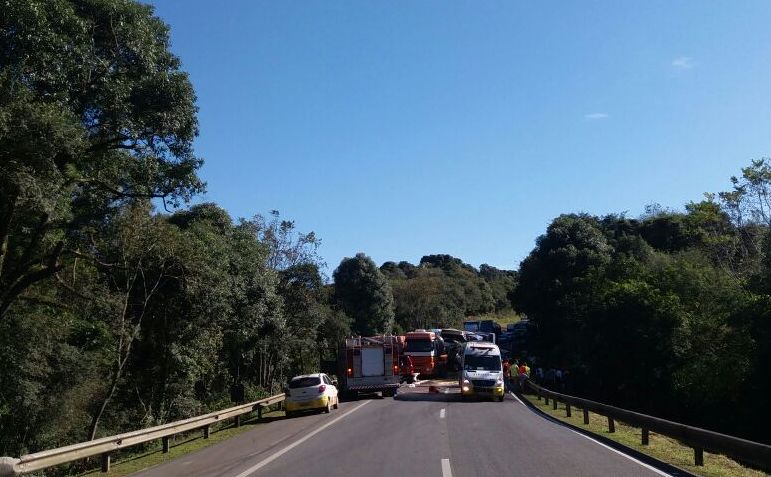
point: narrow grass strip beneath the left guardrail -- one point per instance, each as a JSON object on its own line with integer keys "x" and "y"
{"x": 184, "y": 444}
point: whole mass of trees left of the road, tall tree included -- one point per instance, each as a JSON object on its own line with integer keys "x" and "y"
{"x": 114, "y": 316}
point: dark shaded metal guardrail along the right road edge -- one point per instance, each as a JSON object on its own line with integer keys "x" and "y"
{"x": 754, "y": 453}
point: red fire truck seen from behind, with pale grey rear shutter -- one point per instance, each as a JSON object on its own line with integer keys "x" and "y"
{"x": 368, "y": 364}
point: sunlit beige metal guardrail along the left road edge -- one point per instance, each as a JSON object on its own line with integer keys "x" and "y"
{"x": 12, "y": 467}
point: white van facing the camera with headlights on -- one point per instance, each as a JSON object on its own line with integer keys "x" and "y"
{"x": 481, "y": 371}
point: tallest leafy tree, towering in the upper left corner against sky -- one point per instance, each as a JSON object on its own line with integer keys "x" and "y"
{"x": 113, "y": 121}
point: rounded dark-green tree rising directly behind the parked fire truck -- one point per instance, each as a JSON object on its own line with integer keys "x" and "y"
{"x": 364, "y": 294}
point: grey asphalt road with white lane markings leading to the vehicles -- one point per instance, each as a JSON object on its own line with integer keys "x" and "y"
{"x": 416, "y": 434}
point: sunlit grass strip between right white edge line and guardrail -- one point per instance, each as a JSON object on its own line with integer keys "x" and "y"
{"x": 660, "y": 447}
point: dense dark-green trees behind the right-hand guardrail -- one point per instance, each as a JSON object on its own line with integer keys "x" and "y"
{"x": 668, "y": 313}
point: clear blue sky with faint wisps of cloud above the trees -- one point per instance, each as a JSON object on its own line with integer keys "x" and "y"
{"x": 406, "y": 128}
